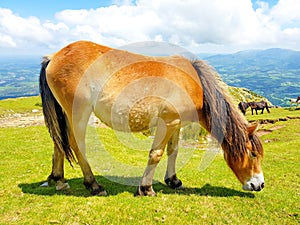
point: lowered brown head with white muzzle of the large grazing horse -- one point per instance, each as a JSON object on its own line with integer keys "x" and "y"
{"x": 246, "y": 163}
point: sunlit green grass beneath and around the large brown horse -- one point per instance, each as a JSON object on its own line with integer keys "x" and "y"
{"x": 213, "y": 196}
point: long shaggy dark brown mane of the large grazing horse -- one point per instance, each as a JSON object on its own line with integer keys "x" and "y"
{"x": 222, "y": 118}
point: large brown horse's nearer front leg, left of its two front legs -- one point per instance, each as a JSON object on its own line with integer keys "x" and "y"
{"x": 163, "y": 134}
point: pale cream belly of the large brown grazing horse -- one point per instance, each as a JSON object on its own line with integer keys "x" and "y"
{"x": 130, "y": 115}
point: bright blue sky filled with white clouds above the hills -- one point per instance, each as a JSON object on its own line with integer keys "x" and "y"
{"x": 200, "y": 26}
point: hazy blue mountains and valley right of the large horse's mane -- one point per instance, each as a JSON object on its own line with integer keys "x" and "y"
{"x": 273, "y": 73}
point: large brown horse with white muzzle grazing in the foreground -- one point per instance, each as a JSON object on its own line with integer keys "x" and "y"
{"x": 131, "y": 92}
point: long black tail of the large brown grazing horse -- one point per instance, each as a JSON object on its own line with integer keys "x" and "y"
{"x": 55, "y": 118}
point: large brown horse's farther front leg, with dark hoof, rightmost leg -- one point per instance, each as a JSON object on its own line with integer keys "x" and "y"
{"x": 172, "y": 151}
